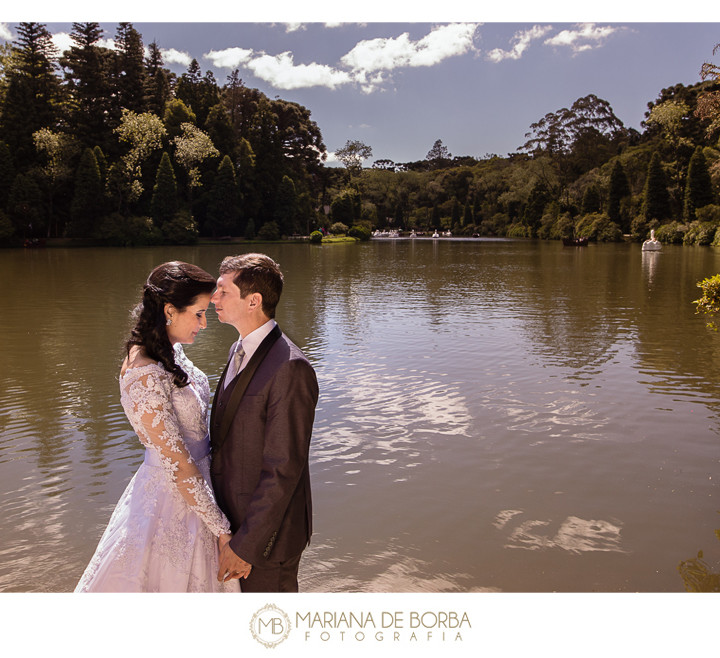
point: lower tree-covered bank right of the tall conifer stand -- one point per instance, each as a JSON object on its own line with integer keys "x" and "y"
{"x": 580, "y": 173}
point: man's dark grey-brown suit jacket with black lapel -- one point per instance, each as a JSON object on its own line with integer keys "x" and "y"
{"x": 259, "y": 467}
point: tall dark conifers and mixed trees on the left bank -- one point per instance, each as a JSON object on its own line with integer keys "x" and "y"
{"x": 108, "y": 144}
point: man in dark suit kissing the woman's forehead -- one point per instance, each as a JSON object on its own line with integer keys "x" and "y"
{"x": 260, "y": 428}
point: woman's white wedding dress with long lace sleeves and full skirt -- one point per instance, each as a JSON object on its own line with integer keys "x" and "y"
{"x": 162, "y": 535}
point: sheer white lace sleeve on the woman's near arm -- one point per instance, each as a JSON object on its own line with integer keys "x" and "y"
{"x": 156, "y": 426}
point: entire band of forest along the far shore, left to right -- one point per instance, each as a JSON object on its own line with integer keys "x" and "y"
{"x": 108, "y": 146}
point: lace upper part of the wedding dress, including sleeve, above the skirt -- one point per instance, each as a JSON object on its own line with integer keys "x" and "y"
{"x": 171, "y": 422}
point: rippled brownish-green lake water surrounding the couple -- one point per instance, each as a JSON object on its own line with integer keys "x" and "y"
{"x": 493, "y": 416}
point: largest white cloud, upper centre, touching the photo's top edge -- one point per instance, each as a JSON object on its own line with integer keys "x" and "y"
{"x": 388, "y": 54}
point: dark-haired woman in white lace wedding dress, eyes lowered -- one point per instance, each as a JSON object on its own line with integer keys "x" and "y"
{"x": 164, "y": 533}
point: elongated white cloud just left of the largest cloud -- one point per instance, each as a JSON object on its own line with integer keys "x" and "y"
{"x": 281, "y": 72}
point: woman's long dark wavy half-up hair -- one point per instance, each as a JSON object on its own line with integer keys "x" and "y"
{"x": 173, "y": 283}
